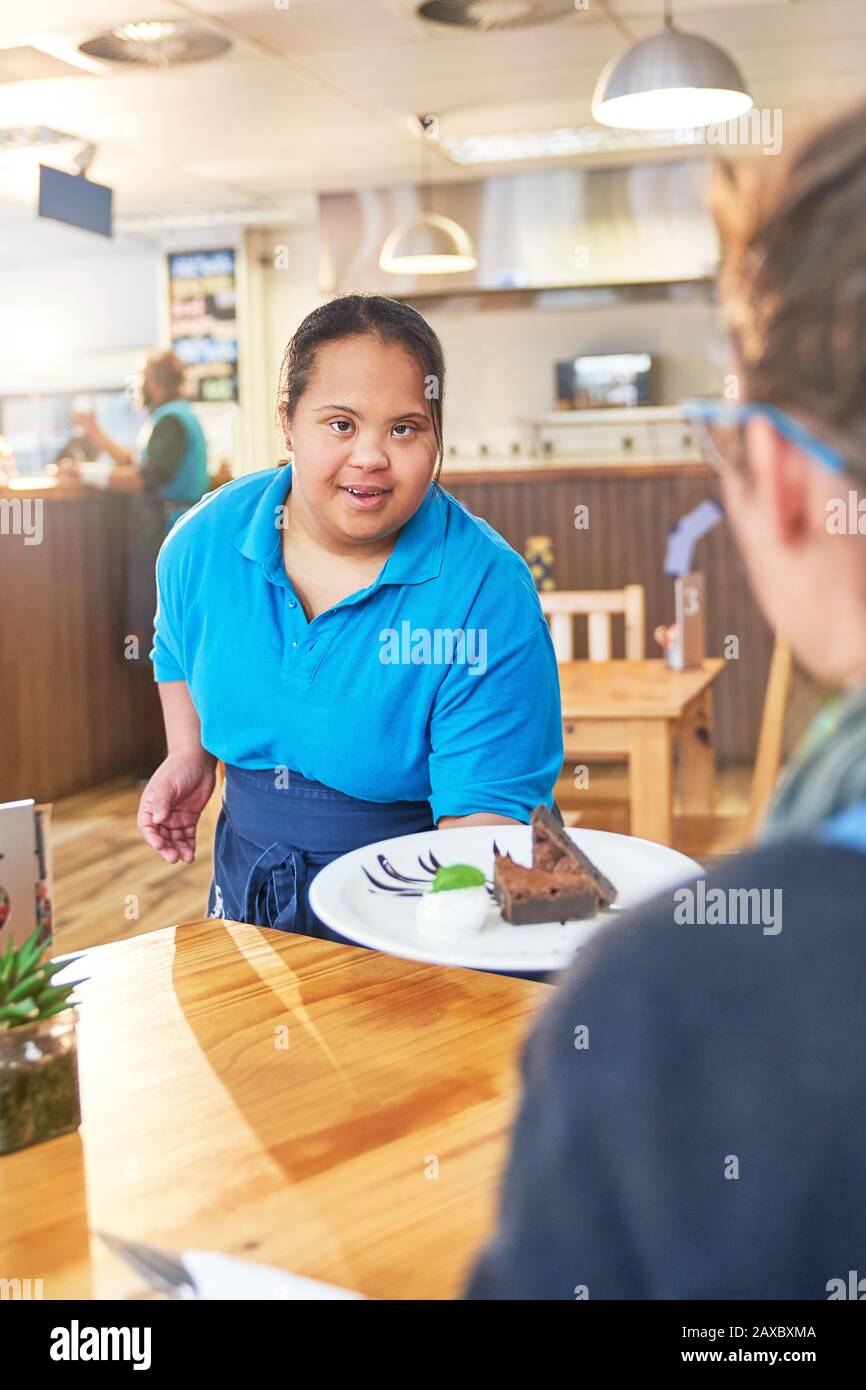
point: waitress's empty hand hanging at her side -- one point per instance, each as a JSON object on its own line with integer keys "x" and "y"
{"x": 173, "y": 801}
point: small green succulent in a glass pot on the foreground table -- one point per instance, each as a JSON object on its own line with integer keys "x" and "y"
{"x": 38, "y": 1049}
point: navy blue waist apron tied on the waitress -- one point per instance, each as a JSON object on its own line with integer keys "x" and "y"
{"x": 272, "y": 842}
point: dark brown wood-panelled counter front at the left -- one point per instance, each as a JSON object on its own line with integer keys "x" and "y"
{"x": 73, "y": 711}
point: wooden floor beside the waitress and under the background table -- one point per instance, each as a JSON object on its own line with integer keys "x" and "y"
{"x": 109, "y": 885}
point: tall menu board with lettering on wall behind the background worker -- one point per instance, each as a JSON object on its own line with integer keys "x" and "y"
{"x": 204, "y": 325}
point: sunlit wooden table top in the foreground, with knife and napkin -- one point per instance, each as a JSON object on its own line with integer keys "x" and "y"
{"x": 327, "y": 1110}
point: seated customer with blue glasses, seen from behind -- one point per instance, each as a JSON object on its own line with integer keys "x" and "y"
{"x": 694, "y": 1109}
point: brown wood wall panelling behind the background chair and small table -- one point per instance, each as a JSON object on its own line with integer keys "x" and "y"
{"x": 630, "y": 518}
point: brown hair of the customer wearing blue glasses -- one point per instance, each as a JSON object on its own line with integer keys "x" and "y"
{"x": 794, "y": 279}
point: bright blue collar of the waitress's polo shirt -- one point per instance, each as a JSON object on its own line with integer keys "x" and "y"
{"x": 418, "y": 555}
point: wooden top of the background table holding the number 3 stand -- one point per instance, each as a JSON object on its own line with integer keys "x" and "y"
{"x": 632, "y": 690}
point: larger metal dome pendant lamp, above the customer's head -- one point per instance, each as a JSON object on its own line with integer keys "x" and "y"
{"x": 671, "y": 81}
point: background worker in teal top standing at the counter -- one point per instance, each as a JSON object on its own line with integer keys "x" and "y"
{"x": 168, "y": 477}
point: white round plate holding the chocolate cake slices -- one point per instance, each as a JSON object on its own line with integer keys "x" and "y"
{"x": 344, "y": 899}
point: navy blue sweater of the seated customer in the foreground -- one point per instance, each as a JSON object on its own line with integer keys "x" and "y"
{"x": 712, "y": 1052}
